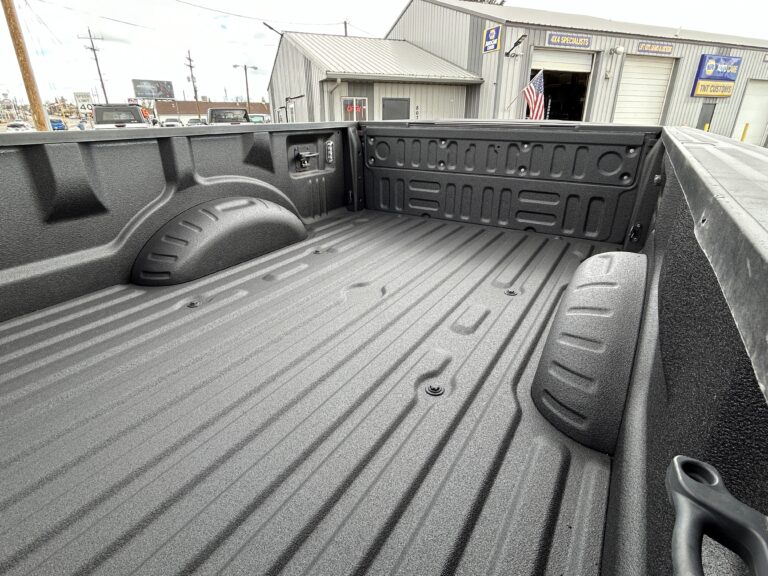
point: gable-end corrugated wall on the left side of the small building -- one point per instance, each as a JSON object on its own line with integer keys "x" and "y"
{"x": 294, "y": 74}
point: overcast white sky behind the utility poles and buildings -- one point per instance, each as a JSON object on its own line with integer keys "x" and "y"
{"x": 149, "y": 38}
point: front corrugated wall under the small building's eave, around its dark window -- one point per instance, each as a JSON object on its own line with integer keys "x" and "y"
{"x": 428, "y": 101}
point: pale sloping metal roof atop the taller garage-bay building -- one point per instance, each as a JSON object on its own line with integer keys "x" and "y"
{"x": 514, "y": 15}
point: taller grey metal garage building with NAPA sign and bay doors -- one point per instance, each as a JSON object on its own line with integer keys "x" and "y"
{"x": 595, "y": 69}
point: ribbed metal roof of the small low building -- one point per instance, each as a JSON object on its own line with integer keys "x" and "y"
{"x": 357, "y": 58}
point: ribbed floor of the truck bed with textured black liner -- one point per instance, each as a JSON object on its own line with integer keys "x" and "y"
{"x": 273, "y": 417}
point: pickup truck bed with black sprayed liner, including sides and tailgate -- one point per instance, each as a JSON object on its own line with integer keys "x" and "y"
{"x": 386, "y": 348}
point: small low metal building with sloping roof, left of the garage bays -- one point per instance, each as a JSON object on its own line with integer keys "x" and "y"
{"x": 319, "y": 77}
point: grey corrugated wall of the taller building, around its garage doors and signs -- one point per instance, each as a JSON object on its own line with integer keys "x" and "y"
{"x": 457, "y": 37}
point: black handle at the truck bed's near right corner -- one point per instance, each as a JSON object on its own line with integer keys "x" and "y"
{"x": 703, "y": 506}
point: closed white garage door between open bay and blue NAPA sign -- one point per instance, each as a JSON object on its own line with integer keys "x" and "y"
{"x": 642, "y": 89}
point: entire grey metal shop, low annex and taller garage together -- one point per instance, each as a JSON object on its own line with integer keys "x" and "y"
{"x": 455, "y": 59}
